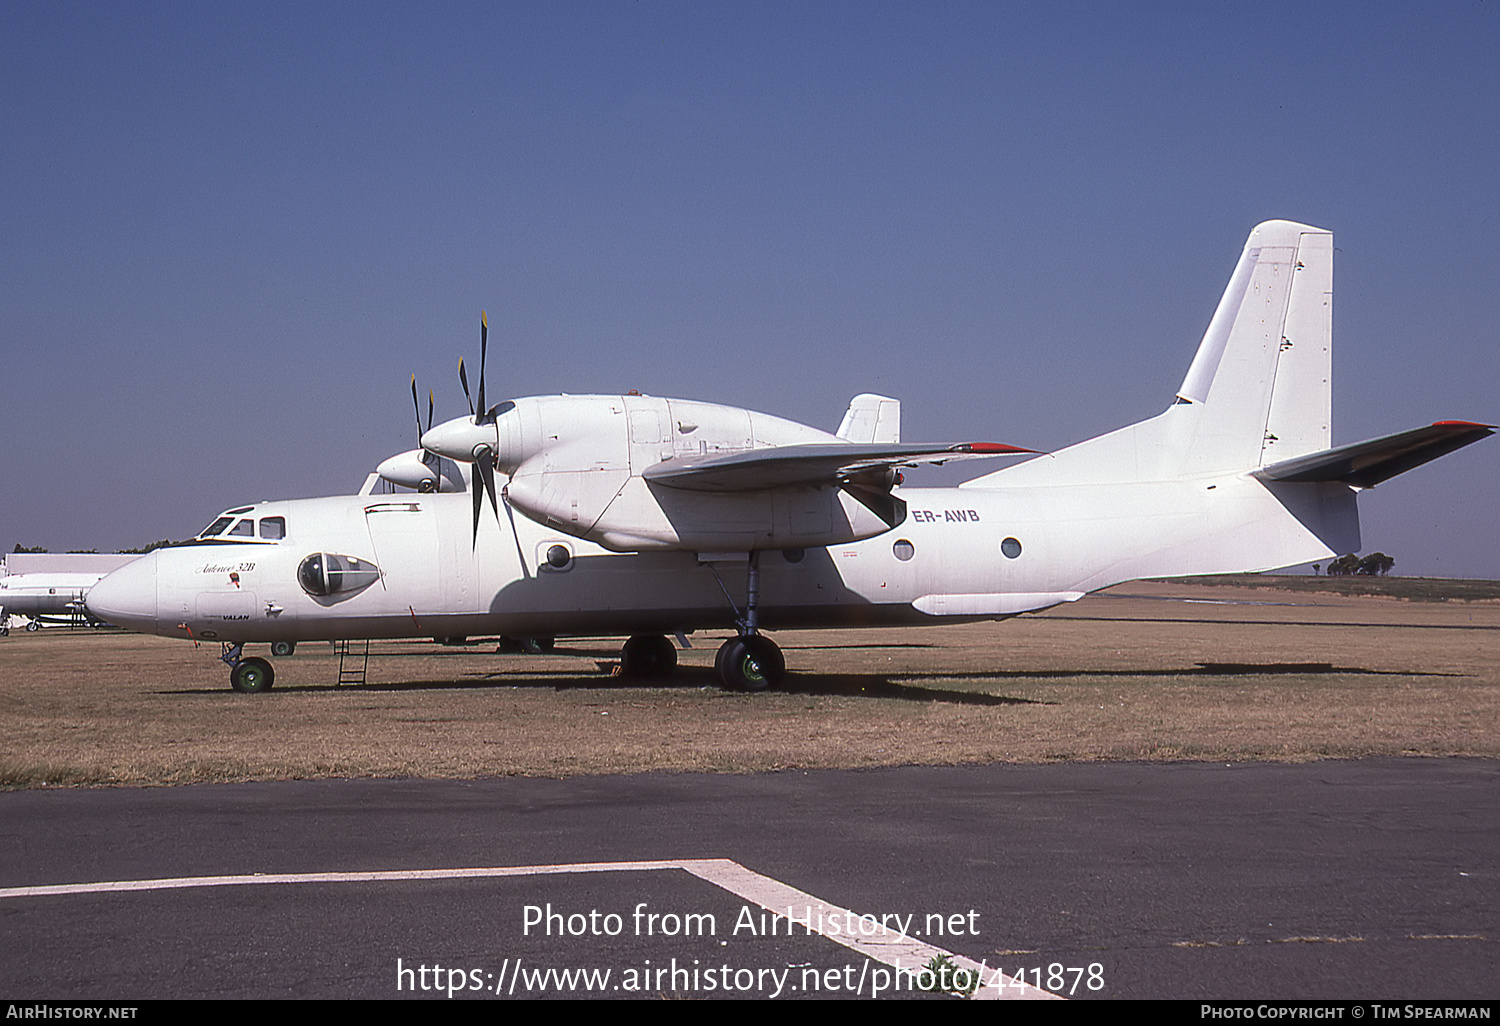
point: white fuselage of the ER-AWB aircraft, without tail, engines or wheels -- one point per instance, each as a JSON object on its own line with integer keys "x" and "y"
{"x": 409, "y": 566}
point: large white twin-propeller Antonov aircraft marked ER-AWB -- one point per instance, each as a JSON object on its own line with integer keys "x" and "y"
{"x": 644, "y": 517}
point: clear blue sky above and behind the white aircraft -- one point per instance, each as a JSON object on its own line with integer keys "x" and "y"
{"x": 229, "y": 233}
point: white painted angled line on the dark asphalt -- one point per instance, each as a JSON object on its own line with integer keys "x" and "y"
{"x": 887, "y": 947}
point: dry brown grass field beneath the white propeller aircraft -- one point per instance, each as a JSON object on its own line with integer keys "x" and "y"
{"x": 1144, "y": 671}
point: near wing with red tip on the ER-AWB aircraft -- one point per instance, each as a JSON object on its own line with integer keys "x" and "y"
{"x": 815, "y": 464}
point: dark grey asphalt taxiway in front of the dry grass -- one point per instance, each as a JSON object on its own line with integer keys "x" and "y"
{"x": 1330, "y": 880}
